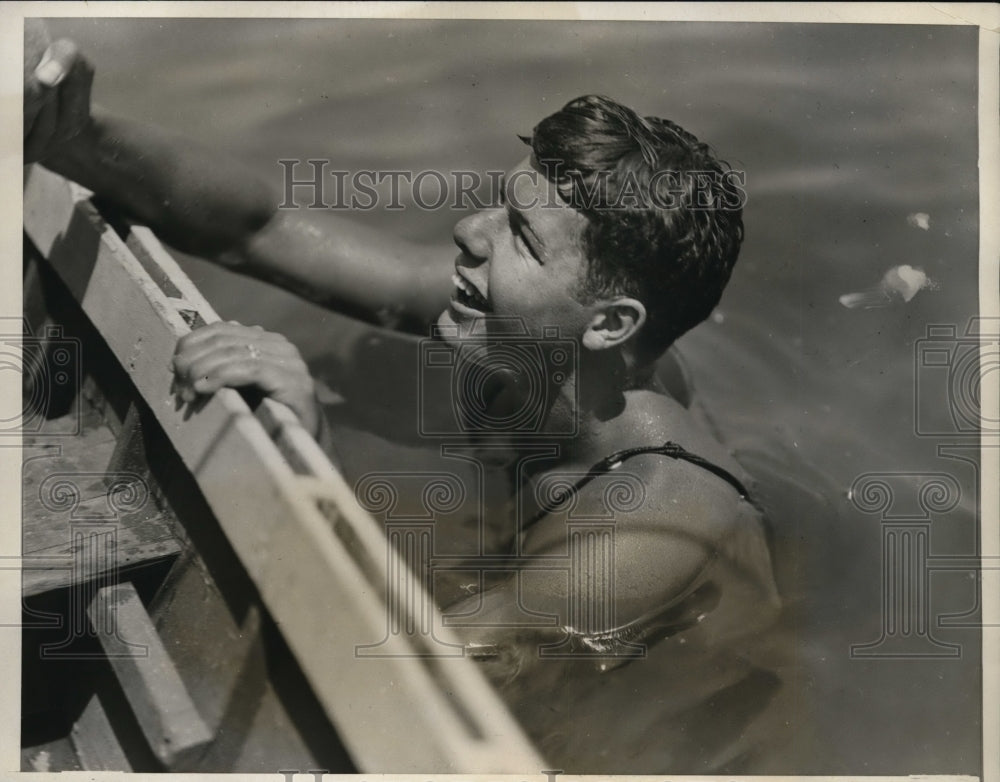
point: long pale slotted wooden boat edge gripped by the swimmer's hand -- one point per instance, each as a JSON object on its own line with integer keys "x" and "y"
{"x": 401, "y": 712}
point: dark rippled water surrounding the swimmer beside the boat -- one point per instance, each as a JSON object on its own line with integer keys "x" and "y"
{"x": 843, "y": 131}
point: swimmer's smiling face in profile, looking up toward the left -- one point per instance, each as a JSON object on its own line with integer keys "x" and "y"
{"x": 523, "y": 261}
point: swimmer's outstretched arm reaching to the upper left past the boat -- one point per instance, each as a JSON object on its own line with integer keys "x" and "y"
{"x": 202, "y": 203}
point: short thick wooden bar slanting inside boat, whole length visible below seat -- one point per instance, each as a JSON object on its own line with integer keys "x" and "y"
{"x": 162, "y": 706}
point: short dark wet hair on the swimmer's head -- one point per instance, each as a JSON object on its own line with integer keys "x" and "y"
{"x": 665, "y": 218}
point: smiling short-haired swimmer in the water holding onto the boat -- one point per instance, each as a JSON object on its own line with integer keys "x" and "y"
{"x": 618, "y": 231}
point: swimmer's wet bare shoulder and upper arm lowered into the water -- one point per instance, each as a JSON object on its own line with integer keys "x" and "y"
{"x": 658, "y": 552}
